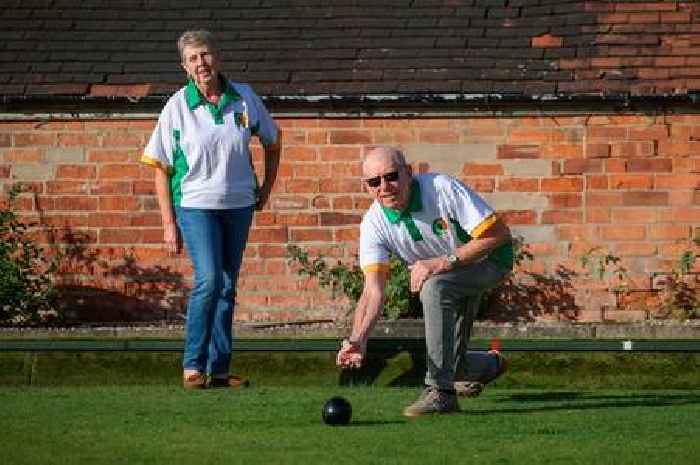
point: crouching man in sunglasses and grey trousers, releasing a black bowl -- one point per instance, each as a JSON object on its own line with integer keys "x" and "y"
{"x": 455, "y": 247}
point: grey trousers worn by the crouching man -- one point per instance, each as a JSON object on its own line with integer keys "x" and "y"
{"x": 448, "y": 321}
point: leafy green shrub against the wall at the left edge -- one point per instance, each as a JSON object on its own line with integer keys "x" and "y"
{"x": 27, "y": 294}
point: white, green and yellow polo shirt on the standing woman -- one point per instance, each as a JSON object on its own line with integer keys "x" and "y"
{"x": 204, "y": 147}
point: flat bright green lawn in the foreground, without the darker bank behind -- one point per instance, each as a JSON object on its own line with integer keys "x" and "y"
{"x": 281, "y": 425}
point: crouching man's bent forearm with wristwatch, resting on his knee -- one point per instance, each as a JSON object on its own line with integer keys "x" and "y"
{"x": 497, "y": 234}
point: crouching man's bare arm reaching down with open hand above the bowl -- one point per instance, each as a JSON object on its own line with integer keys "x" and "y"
{"x": 367, "y": 312}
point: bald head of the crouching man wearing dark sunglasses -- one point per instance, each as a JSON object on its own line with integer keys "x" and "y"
{"x": 386, "y": 182}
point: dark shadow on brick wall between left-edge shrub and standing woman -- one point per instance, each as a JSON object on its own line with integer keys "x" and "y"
{"x": 92, "y": 289}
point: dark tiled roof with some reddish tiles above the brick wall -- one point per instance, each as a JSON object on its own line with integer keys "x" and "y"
{"x": 525, "y": 47}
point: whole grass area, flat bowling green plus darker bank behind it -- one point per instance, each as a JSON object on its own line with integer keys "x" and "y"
{"x": 112, "y": 407}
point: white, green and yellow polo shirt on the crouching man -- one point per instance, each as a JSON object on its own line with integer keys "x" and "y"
{"x": 442, "y": 214}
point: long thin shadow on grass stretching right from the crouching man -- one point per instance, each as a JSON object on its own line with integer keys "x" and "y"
{"x": 571, "y": 400}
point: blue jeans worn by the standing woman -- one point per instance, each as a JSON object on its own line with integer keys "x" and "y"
{"x": 215, "y": 241}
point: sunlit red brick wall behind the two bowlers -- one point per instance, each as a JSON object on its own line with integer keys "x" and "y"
{"x": 629, "y": 184}
